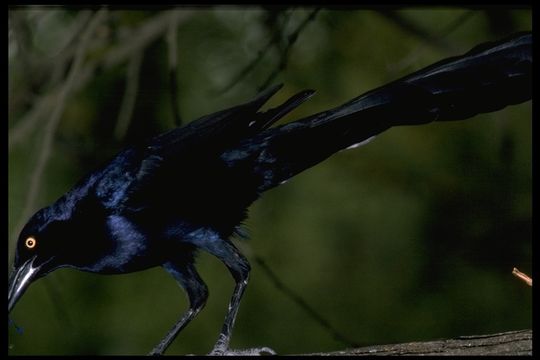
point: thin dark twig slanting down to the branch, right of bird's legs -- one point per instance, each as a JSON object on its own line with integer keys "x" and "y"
{"x": 304, "y": 305}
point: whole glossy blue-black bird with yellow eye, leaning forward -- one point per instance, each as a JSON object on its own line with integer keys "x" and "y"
{"x": 158, "y": 203}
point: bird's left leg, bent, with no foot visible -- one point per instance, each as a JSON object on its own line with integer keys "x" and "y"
{"x": 197, "y": 292}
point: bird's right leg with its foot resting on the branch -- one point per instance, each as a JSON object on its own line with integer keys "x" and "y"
{"x": 239, "y": 268}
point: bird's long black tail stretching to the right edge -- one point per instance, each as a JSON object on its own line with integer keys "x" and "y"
{"x": 489, "y": 77}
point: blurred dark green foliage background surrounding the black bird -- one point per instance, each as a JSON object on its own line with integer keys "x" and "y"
{"x": 411, "y": 237}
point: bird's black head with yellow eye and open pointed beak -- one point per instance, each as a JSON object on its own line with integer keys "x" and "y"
{"x": 39, "y": 251}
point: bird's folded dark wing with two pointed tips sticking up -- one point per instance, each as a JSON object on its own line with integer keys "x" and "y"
{"x": 157, "y": 171}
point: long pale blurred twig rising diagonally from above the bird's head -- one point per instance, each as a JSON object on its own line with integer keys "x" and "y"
{"x": 52, "y": 124}
